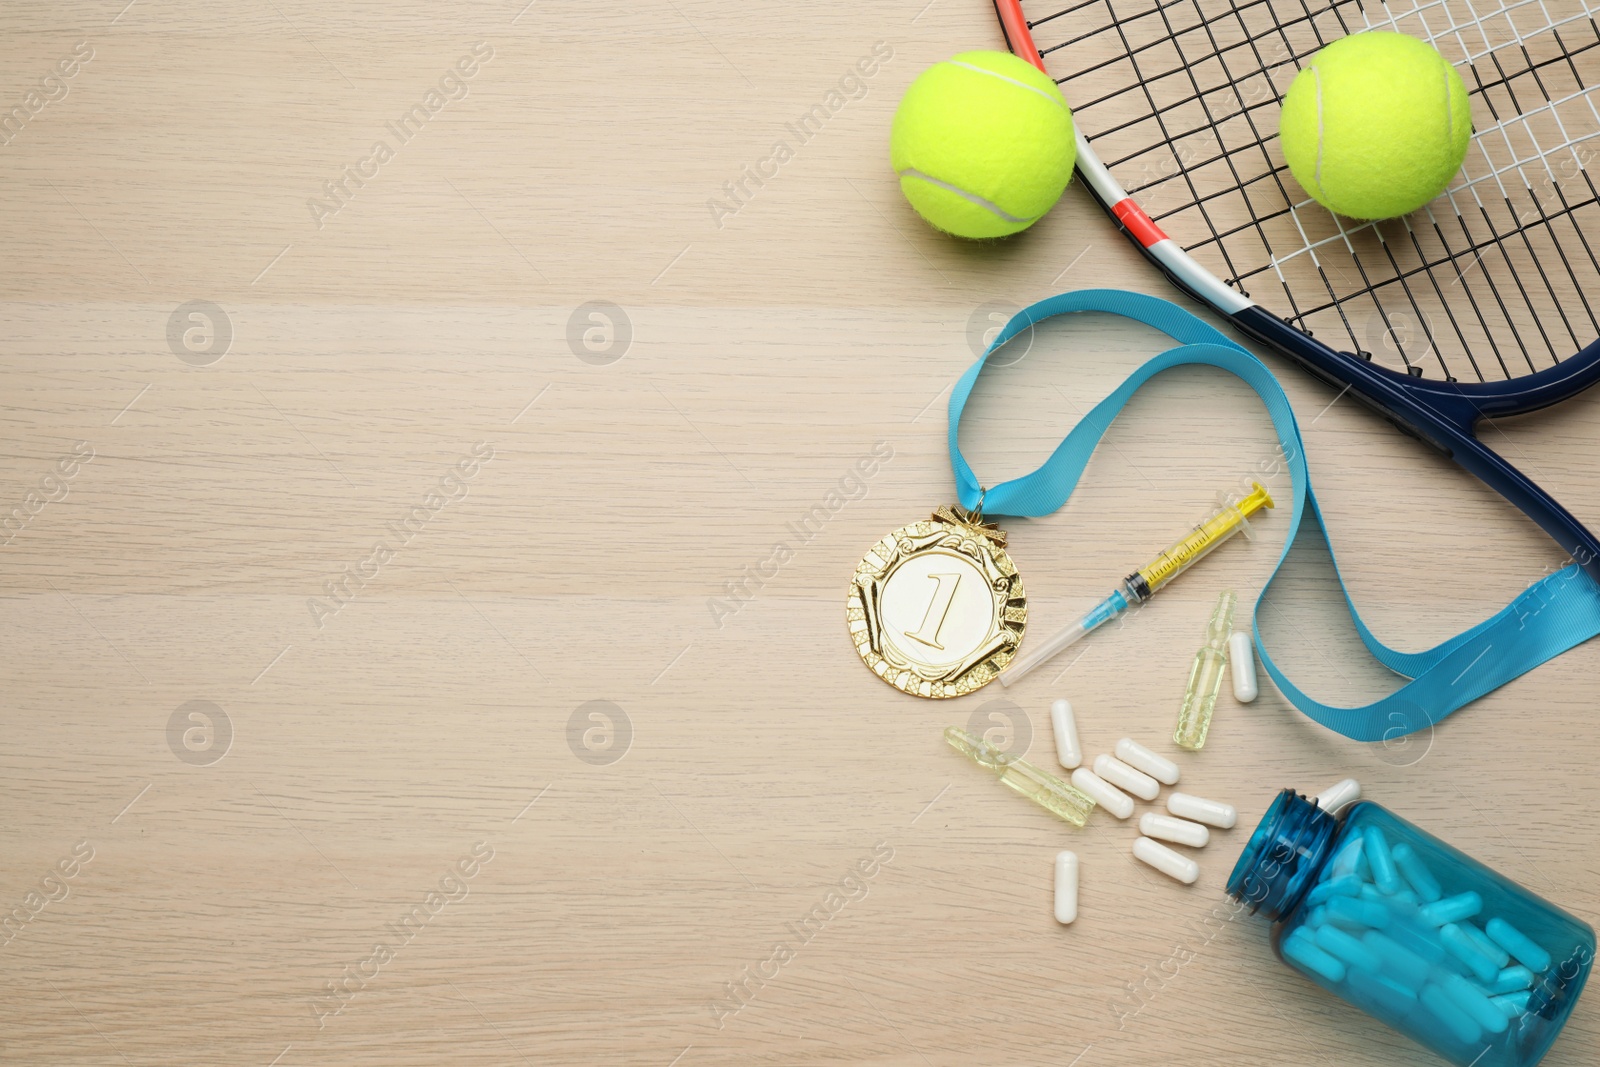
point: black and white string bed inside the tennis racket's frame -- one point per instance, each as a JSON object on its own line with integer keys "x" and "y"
{"x": 1180, "y": 100}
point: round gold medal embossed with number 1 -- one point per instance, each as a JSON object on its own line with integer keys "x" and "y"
{"x": 937, "y": 609}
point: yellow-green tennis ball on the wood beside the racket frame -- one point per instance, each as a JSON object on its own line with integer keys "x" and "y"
{"x": 983, "y": 145}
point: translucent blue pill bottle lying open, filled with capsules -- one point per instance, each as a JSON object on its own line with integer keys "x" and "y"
{"x": 1414, "y": 932}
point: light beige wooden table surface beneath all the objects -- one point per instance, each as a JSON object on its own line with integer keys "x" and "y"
{"x": 382, "y": 645}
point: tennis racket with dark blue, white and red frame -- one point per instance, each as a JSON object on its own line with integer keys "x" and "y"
{"x": 1476, "y": 308}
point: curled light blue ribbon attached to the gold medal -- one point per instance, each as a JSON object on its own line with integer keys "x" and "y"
{"x": 1545, "y": 621}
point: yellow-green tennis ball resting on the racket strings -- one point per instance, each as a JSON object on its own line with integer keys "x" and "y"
{"x": 1377, "y": 126}
